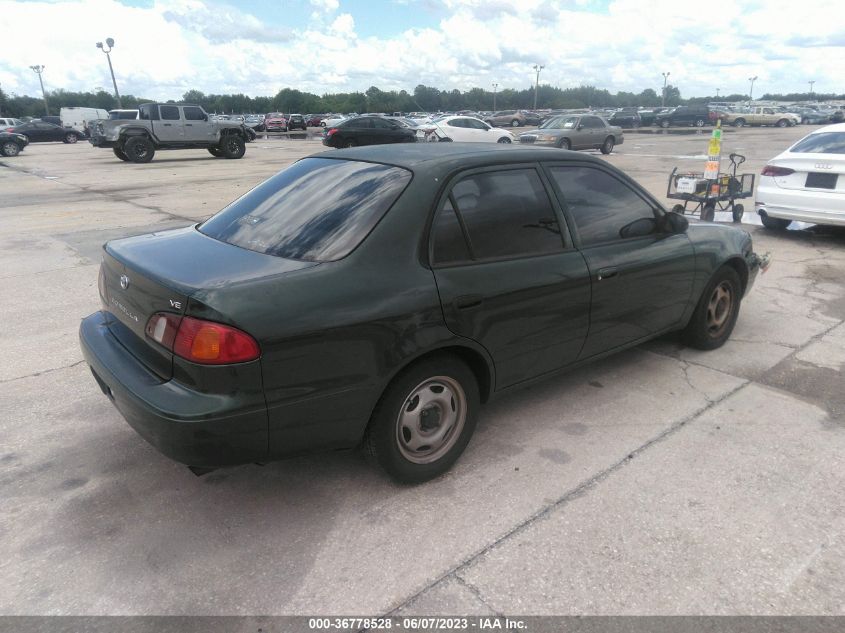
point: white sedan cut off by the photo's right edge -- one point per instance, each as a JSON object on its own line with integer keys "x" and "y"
{"x": 806, "y": 182}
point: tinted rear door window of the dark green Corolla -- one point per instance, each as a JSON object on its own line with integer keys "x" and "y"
{"x": 505, "y": 214}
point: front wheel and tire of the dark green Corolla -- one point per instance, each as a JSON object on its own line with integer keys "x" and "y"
{"x": 715, "y": 315}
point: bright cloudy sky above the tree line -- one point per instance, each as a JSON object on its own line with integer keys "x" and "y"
{"x": 175, "y": 45}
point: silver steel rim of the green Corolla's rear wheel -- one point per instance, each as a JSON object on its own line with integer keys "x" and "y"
{"x": 431, "y": 420}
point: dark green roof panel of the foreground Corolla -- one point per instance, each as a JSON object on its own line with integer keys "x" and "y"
{"x": 410, "y": 155}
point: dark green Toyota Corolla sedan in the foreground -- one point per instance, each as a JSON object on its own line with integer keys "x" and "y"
{"x": 376, "y": 296}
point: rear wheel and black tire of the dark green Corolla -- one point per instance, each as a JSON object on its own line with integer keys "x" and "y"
{"x": 390, "y": 438}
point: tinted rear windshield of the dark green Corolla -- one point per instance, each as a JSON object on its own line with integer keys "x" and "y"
{"x": 318, "y": 209}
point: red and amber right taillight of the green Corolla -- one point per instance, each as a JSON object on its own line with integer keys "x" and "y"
{"x": 201, "y": 341}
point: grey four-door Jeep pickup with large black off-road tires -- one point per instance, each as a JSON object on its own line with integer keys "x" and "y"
{"x": 168, "y": 126}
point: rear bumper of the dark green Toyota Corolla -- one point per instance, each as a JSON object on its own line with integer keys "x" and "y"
{"x": 198, "y": 429}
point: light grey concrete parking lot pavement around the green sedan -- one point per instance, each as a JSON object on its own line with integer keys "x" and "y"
{"x": 660, "y": 481}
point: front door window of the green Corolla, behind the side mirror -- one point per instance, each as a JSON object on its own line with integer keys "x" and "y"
{"x": 603, "y": 208}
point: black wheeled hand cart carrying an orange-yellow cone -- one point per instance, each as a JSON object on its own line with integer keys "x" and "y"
{"x": 704, "y": 195}
